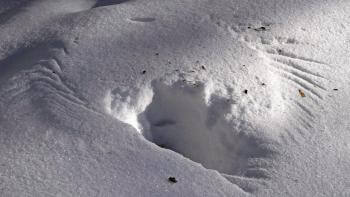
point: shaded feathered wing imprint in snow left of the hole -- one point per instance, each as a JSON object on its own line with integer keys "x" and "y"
{"x": 41, "y": 79}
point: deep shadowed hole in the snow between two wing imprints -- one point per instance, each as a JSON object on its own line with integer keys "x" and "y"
{"x": 190, "y": 118}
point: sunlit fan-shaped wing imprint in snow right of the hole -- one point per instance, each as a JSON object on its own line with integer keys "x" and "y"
{"x": 297, "y": 73}
